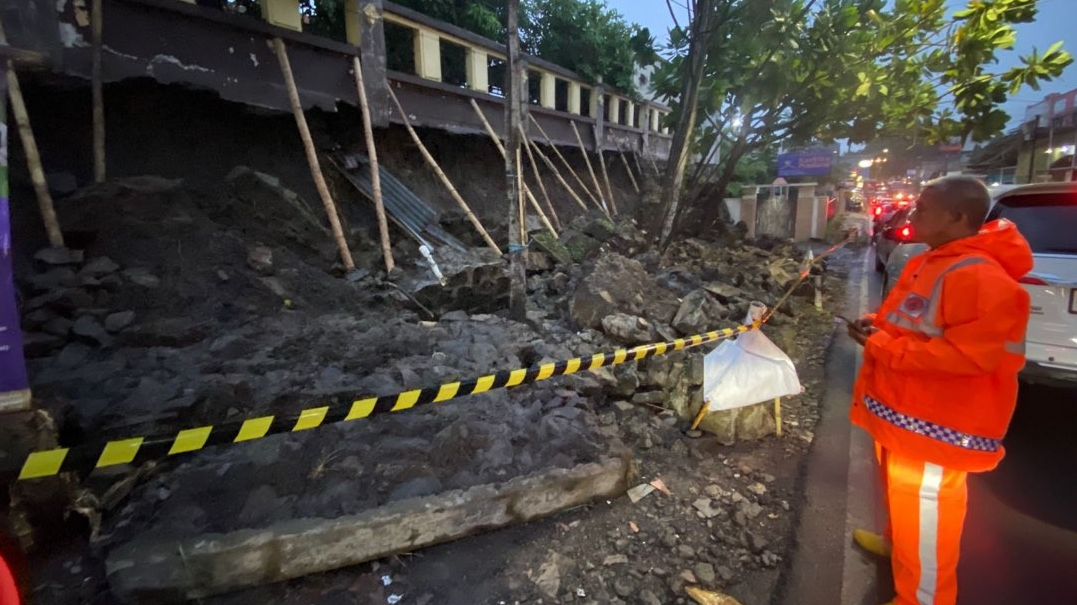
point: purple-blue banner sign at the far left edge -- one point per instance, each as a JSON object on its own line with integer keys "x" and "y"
{"x": 15, "y": 387}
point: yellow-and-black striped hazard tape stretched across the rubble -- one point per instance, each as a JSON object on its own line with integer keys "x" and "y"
{"x": 137, "y": 451}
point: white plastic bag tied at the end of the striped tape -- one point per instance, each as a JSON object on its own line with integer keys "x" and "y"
{"x": 749, "y": 371}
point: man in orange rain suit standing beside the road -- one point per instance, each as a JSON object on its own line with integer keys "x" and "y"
{"x": 939, "y": 385}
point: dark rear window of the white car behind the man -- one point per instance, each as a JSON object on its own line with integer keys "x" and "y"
{"x": 1048, "y": 220}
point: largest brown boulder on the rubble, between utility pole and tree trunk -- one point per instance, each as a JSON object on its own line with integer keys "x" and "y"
{"x": 622, "y": 286}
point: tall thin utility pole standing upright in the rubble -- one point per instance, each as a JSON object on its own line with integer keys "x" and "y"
{"x": 514, "y": 124}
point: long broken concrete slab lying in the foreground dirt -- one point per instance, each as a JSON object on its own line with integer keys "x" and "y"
{"x": 147, "y": 571}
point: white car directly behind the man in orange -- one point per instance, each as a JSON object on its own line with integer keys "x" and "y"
{"x": 1046, "y": 215}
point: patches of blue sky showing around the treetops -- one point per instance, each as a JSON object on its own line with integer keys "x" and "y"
{"x": 1054, "y": 23}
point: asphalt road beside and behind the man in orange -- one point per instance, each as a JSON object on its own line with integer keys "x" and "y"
{"x": 1020, "y": 539}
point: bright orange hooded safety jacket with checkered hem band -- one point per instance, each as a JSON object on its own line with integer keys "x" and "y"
{"x": 940, "y": 378}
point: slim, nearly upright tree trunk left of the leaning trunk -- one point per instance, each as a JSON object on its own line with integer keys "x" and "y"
{"x": 674, "y": 179}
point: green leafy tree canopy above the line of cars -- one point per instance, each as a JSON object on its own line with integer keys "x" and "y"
{"x": 803, "y": 72}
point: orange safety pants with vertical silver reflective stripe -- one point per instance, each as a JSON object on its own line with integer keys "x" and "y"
{"x": 927, "y": 512}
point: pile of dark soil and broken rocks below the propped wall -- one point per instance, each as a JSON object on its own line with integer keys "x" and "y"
{"x": 179, "y": 308}
